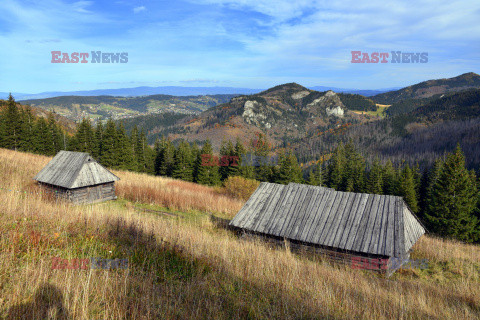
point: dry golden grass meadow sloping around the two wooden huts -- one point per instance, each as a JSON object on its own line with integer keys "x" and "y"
{"x": 182, "y": 266}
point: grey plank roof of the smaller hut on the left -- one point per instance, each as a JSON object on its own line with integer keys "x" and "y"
{"x": 74, "y": 170}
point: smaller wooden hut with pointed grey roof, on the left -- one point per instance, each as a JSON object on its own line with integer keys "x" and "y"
{"x": 77, "y": 177}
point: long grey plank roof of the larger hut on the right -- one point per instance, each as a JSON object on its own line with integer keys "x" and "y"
{"x": 358, "y": 222}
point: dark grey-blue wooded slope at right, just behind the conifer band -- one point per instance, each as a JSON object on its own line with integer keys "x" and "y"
{"x": 420, "y": 136}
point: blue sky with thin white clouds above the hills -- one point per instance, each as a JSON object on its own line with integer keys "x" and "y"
{"x": 235, "y": 43}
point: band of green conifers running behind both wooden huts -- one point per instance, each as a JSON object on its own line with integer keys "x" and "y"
{"x": 445, "y": 196}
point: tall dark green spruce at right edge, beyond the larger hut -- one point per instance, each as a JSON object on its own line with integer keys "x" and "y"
{"x": 454, "y": 198}
